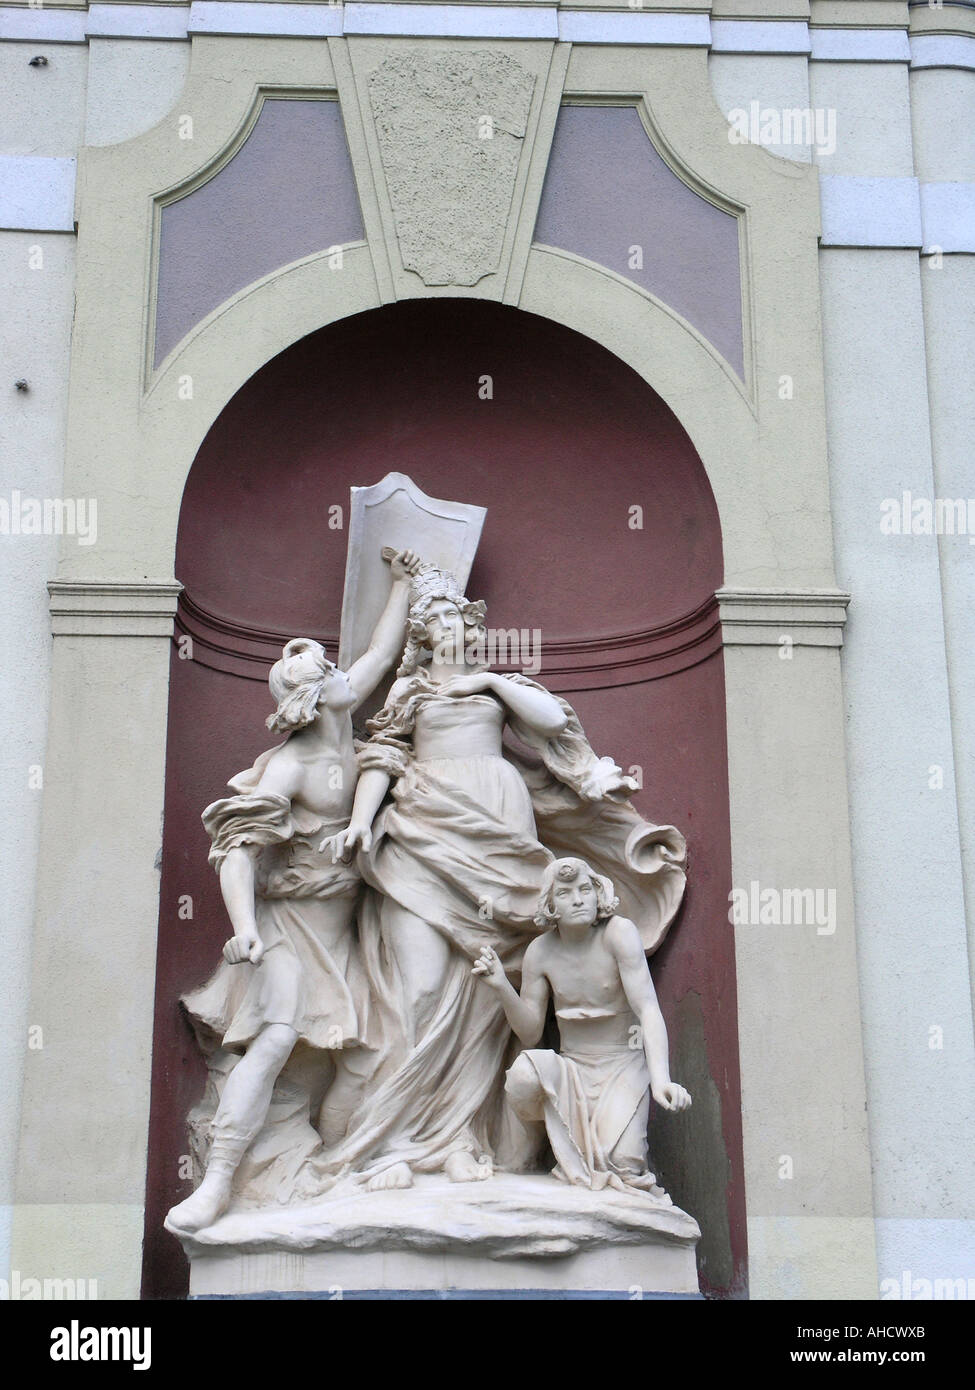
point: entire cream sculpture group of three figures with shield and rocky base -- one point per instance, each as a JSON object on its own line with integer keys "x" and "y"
{"x": 376, "y": 924}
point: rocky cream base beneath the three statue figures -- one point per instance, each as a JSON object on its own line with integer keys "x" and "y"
{"x": 513, "y": 1234}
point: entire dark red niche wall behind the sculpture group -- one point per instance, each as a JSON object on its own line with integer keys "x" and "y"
{"x": 570, "y": 443}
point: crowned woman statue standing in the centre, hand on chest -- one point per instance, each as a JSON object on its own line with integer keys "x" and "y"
{"x": 456, "y": 867}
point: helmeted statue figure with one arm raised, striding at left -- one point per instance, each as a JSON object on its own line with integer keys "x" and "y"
{"x": 291, "y": 906}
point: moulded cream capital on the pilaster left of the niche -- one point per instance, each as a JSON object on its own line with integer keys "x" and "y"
{"x": 113, "y": 610}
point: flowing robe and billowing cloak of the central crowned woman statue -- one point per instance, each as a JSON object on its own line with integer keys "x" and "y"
{"x": 458, "y": 844}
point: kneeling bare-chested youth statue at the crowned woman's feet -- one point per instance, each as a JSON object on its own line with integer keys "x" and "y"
{"x": 593, "y": 1097}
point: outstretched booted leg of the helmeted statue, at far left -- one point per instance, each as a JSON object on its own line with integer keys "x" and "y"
{"x": 240, "y": 1117}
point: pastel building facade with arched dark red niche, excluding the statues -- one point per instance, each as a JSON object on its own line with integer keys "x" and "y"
{"x": 693, "y": 280}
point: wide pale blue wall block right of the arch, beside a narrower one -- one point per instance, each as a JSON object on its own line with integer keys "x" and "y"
{"x": 870, "y": 212}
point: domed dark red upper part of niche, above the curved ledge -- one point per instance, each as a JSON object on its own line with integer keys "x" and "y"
{"x": 570, "y": 443}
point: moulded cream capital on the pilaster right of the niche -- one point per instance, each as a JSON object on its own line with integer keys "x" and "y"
{"x": 764, "y": 618}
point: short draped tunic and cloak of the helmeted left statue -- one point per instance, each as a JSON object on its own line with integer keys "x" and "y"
{"x": 309, "y": 981}
